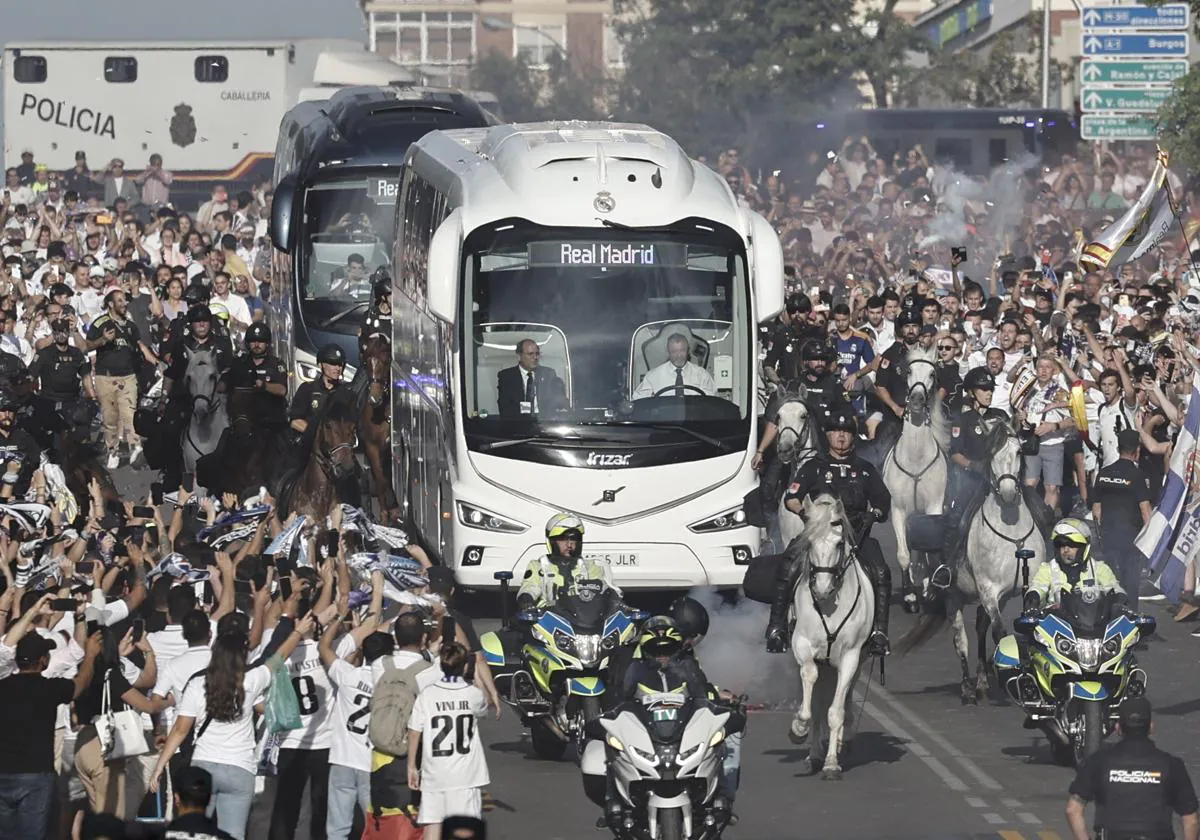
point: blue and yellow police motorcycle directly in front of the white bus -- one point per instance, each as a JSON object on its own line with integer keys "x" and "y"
{"x": 550, "y": 664}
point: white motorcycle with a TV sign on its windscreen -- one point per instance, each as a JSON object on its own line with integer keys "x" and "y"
{"x": 662, "y": 760}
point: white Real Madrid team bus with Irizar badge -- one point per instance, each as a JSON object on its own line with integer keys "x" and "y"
{"x": 599, "y": 243}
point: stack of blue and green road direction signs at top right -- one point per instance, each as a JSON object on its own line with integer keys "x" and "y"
{"x": 1133, "y": 55}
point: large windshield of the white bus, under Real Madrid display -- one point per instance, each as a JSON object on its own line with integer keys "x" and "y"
{"x": 611, "y": 335}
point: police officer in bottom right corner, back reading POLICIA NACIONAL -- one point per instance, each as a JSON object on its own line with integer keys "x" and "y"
{"x": 1139, "y": 785}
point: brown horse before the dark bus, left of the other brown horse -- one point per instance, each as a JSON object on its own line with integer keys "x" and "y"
{"x": 331, "y": 476}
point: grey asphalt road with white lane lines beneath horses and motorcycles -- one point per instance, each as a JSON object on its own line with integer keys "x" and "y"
{"x": 921, "y": 765}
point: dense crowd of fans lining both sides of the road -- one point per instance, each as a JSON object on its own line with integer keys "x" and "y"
{"x": 113, "y": 605}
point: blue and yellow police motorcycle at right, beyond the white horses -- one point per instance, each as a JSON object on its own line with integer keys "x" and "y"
{"x": 1082, "y": 668}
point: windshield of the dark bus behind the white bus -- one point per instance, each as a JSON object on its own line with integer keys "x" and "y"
{"x": 347, "y": 236}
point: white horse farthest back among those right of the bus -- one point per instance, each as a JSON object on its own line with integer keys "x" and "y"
{"x": 916, "y": 470}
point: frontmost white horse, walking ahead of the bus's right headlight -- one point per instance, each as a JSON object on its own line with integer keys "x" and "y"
{"x": 833, "y": 607}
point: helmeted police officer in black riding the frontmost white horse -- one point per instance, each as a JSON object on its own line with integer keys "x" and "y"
{"x": 867, "y": 501}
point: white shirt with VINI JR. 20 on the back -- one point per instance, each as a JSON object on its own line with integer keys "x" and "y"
{"x": 446, "y": 715}
